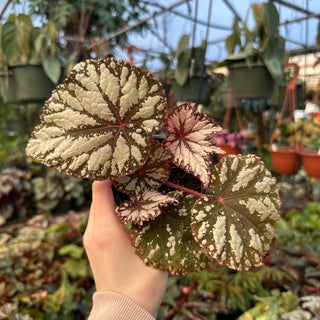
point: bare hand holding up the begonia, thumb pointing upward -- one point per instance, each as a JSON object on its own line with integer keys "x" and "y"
{"x": 115, "y": 265}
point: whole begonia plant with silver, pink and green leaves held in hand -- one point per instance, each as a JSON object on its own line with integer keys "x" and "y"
{"x": 185, "y": 215}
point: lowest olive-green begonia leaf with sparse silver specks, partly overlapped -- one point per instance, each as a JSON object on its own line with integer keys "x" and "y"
{"x": 167, "y": 242}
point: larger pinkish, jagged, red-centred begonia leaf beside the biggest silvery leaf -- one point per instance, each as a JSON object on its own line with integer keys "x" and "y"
{"x": 189, "y": 140}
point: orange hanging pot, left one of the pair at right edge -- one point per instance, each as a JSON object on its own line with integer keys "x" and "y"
{"x": 284, "y": 160}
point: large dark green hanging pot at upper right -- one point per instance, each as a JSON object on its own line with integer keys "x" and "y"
{"x": 251, "y": 83}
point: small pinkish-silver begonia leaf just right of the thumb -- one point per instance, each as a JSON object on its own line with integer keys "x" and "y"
{"x": 145, "y": 207}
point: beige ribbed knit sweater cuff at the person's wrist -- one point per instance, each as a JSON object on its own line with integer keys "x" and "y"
{"x": 109, "y": 305}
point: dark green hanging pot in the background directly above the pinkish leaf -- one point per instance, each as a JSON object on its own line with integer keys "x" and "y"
{"x": 196, "y": 89}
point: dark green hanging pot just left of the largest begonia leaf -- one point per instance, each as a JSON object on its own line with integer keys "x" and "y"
{"x": 32, "y": 84}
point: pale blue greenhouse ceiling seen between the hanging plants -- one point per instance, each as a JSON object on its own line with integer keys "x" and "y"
{"x": 212, "y": 20}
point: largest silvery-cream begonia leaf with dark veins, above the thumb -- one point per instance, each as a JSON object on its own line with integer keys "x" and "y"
{"x": 97, "y": 124}
